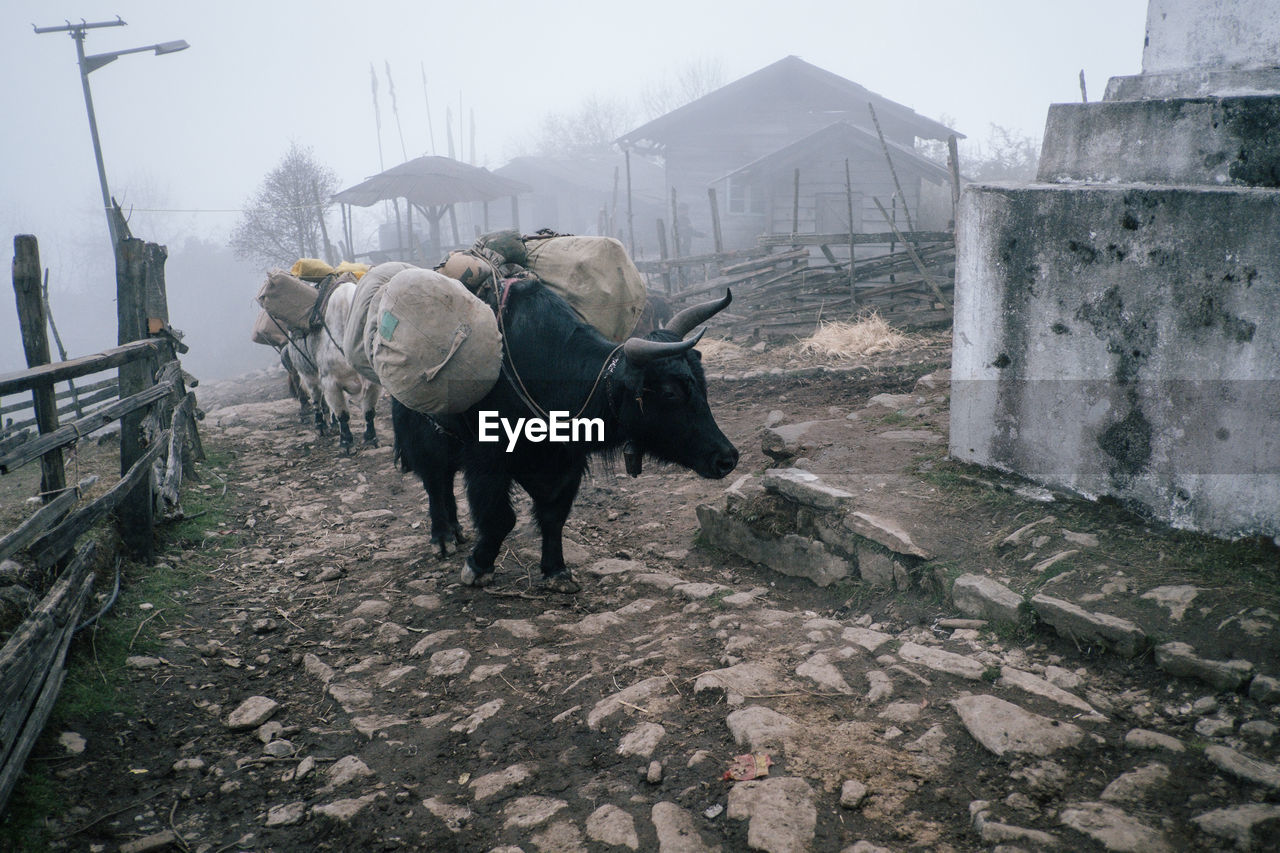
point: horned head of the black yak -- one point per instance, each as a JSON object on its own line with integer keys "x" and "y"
{"x": 664, "y": 410}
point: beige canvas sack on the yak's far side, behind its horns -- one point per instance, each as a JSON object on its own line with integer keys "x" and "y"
{"x": 593, "y": 275}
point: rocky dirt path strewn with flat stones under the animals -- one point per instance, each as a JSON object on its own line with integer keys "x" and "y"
{"x": 331, "y": 686}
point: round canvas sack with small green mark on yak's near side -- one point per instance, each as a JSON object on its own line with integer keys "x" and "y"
{"x": 437, "y": 348}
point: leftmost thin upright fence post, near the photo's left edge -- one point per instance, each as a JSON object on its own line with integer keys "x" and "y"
{"x": 35, "y": 344}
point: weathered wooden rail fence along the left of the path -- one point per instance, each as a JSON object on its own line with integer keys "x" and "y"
{"x": 158, "y": 441}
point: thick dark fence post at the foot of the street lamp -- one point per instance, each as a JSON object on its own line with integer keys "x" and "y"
{"x": 131, "y": 291}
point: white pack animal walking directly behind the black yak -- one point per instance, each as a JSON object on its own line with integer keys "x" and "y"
{"x": 328, "y": 376}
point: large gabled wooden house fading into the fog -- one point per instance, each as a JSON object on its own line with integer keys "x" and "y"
{"x": 747, "y": 140}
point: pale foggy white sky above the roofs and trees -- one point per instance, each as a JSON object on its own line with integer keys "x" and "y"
{"x": 188, "y": 138}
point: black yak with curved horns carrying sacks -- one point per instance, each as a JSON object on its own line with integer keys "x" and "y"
{"x": 648, "y": 398}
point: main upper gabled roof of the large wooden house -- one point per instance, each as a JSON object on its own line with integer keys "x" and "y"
{"x": 797, "y": 84}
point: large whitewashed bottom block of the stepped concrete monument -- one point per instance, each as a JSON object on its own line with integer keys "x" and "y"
{"x": 1123, "y": 341}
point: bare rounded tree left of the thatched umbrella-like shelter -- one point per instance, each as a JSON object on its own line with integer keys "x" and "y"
{"x": 285, "y": 220}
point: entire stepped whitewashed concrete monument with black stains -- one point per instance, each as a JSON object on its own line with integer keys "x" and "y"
{"x": 1117, "y": 325}
